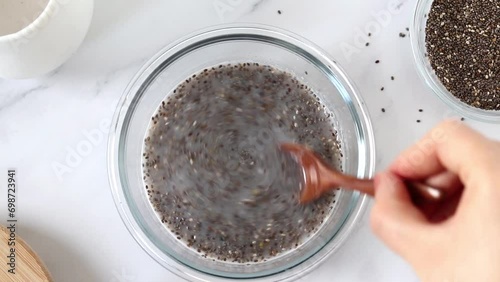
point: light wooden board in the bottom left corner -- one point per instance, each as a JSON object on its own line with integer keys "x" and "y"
{"x": 28, "y": 266}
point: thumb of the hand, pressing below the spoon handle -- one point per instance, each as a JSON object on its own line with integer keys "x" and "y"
{"x": 395, "y": 219}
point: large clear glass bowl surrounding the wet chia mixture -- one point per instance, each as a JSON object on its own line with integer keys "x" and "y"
{"x": 236, "y": 44}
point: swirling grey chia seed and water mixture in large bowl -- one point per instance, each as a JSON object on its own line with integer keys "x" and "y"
{"x": 214, "y": 171}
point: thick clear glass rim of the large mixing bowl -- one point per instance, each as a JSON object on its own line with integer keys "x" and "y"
{"x": 116, "y": 183}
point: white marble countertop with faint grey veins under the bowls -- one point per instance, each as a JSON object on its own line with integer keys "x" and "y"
{"x": 71, "y": 221}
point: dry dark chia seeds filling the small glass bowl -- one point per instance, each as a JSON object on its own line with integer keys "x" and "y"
{"x": 463, "y": 43}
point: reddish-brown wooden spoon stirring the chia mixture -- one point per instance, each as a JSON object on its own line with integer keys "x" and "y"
{"x": 319, "y": 178}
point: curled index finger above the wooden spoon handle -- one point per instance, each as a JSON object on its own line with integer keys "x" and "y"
{"x": 451, "y": 146}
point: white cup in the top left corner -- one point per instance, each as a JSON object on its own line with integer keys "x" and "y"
{"x": 46, "y": 40}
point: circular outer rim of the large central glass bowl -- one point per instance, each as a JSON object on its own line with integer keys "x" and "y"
{"x": 353, "y": 217}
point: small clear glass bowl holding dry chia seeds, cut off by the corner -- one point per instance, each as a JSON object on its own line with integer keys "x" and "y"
{"x": 428, "y": 75}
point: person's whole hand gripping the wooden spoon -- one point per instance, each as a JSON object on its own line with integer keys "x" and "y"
{"x": 459, "y": 240}
